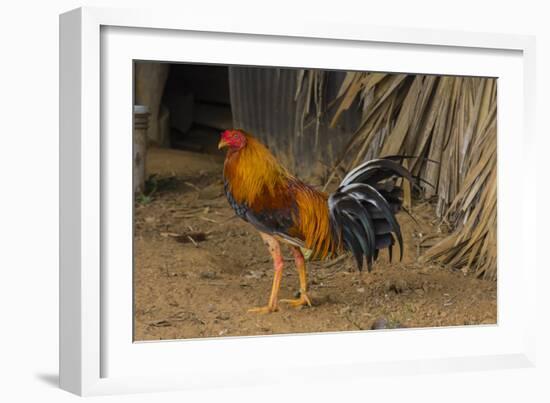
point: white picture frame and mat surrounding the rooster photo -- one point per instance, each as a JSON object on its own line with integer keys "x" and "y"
{"x": 97, "y": 354}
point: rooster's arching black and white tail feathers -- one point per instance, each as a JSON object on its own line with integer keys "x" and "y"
{"x": 362, "y": 210}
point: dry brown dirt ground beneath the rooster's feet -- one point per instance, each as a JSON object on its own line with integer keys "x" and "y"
{"x": 198, "y": 269}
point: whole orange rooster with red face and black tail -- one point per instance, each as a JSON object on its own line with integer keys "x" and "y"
{"x": 359, "y": 217}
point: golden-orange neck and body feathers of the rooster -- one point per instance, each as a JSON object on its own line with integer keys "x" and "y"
{"x": 255, "y": 179}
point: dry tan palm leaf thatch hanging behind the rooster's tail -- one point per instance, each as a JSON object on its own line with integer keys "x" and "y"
{"x": 451, "y": 120}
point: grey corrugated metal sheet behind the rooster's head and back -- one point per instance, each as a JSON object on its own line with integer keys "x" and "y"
{"x": 264, "y": 102}
